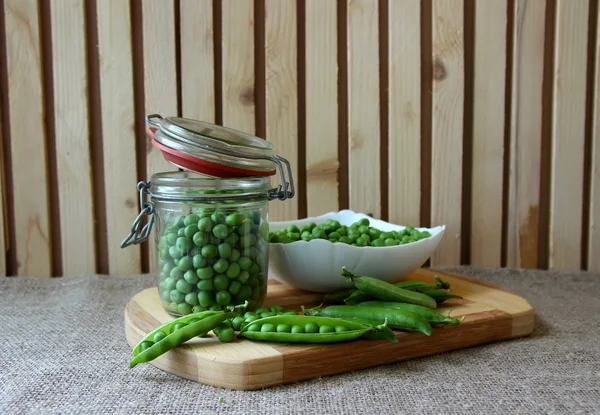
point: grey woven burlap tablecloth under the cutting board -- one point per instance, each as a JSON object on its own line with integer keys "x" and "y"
{"x": 63, "y": 350}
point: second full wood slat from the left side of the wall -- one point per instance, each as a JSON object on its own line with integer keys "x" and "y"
{"x": 72, "y": 132}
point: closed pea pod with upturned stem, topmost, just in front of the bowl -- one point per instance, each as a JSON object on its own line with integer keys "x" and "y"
{"x": 388, "y": 292}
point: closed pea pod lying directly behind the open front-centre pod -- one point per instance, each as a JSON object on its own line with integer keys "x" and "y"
{"x": 396, "y": 319}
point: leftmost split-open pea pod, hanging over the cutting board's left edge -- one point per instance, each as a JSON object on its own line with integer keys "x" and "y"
{"x": 177, "y": 337}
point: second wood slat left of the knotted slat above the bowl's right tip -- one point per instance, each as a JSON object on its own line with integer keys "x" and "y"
{"x": 363, "y": 111}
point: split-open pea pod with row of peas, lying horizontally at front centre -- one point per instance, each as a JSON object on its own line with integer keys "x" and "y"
{"x": 322, "y": 329}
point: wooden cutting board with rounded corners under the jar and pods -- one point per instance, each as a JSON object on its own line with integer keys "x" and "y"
{"x": 491, "y": 314}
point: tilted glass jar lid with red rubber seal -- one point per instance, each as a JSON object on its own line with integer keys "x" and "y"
{"x": 211, "y": 149}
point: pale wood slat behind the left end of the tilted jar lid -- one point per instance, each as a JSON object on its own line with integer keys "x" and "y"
{"x": 160, "y": 83}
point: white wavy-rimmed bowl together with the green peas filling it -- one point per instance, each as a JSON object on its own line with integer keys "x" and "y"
{"x": 315, "y": 264}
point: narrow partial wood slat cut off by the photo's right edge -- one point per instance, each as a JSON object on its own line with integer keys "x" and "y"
{"x": 594, "y": 219}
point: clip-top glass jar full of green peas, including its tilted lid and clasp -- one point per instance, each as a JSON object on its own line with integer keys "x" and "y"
{"x": 210, "y": 218}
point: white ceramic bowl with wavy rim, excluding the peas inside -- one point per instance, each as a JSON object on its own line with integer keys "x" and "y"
{"x": 315, "y": 265}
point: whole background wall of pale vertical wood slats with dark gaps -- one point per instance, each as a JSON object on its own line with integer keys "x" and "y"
{"x": 482, "y": 115}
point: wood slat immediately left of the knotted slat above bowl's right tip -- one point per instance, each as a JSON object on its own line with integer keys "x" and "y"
{"x": 404, "y": 107}
